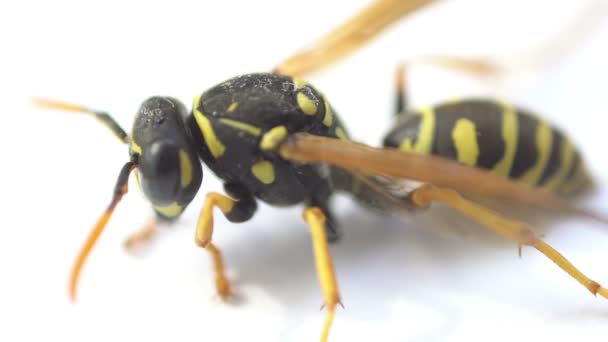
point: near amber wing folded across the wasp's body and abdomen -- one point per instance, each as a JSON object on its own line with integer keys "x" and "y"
{"x": 390, "y": 162}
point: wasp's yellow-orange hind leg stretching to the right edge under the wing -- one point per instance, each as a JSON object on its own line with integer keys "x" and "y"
{"x": 516, "y": 231}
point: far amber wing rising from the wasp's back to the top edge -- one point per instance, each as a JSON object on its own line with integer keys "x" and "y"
{"x": 349, "y": 36}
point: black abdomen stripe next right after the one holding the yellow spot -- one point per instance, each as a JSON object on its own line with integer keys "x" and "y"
{"x": 526, "y": 153}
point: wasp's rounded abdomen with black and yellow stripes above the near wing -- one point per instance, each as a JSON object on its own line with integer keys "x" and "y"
{"x": 494, "y": 136}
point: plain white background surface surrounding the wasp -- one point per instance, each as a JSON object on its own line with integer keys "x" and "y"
{"x": 399, "y": 282}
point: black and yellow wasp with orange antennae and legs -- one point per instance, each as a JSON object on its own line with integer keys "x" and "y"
{"x": 275, "y": 138}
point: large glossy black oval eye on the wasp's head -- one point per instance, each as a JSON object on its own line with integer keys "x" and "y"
{"x": 159, "y": 172}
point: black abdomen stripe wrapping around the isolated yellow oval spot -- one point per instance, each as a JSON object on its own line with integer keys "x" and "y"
{"x": 487, "y": 117}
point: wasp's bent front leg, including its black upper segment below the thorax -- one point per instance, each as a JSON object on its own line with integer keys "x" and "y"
{"x": 238, "y": 210}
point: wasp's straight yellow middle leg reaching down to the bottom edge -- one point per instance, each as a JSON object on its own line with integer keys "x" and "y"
{"x": 325, "y": 268}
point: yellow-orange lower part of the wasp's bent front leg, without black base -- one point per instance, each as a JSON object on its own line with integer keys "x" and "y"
{"x": 204, "y": 232}
